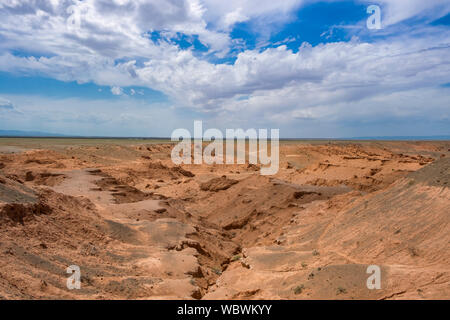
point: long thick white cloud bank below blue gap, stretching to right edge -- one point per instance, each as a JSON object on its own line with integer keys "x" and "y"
{"x": 330, "y": 73}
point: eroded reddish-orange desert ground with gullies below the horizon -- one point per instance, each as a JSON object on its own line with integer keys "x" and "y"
{"x": 140, "y": 227}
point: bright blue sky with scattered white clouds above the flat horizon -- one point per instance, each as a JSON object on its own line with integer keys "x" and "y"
{"x": 312, "y": 69}
